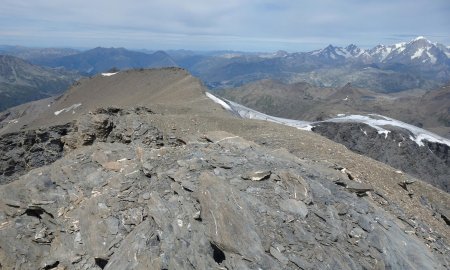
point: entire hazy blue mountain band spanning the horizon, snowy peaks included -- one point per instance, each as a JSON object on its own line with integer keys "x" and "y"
{"x": 418, "y": 64}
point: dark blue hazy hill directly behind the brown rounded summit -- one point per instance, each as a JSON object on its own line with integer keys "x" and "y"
{"x": 102, "y": 59}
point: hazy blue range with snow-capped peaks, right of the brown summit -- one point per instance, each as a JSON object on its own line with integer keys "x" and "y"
{"x": 415, "y": 64}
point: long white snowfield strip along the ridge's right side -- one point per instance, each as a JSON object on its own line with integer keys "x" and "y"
{"x": 379, "y": 122}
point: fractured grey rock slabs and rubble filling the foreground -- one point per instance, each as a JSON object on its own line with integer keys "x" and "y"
{"x": 130, "y": 204}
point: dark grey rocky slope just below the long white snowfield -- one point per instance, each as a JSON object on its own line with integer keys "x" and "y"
{"x": 430, "y": 161}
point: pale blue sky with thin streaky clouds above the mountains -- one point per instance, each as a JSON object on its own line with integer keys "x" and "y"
{"x": 248, "y": 25}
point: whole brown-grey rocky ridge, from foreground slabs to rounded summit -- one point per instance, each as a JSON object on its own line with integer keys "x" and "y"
{"x": 141, "y": 170}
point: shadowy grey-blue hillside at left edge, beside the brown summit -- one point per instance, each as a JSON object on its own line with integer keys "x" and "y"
{"x": 21, "y": 81}
